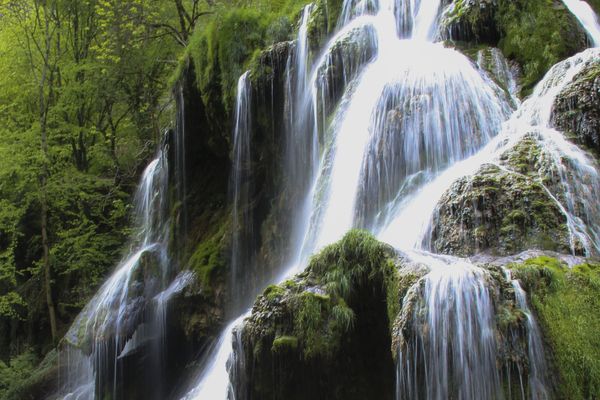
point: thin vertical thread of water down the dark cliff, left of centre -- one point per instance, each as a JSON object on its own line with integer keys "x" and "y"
{"x": 240, "y": 187}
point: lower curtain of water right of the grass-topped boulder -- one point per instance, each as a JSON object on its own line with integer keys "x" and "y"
{"x": 452, "y": 352}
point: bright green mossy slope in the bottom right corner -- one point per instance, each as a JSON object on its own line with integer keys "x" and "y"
{"x": 567, "y": 302}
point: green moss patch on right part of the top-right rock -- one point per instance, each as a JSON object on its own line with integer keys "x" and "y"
{"x": 537, "y": 34}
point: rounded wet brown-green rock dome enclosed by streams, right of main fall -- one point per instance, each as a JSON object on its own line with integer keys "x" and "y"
{"x": 499, "y": 211}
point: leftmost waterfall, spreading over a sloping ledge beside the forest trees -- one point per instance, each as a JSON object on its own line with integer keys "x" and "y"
{"x": 108, "y": 328}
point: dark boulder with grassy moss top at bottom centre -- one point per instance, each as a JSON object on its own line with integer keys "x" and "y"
{"x": 325, "y": 334}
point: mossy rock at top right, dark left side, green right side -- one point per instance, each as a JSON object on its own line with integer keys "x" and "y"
{"x": 534, "y": 33}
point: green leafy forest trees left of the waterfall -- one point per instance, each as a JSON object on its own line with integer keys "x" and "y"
{"x": 84, "y": 96}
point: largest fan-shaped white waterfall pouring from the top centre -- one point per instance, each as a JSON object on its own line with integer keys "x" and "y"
{"x": 367, "y": 165}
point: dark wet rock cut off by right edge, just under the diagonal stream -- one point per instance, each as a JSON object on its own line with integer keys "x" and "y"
{"x": 576, "y": 110}
